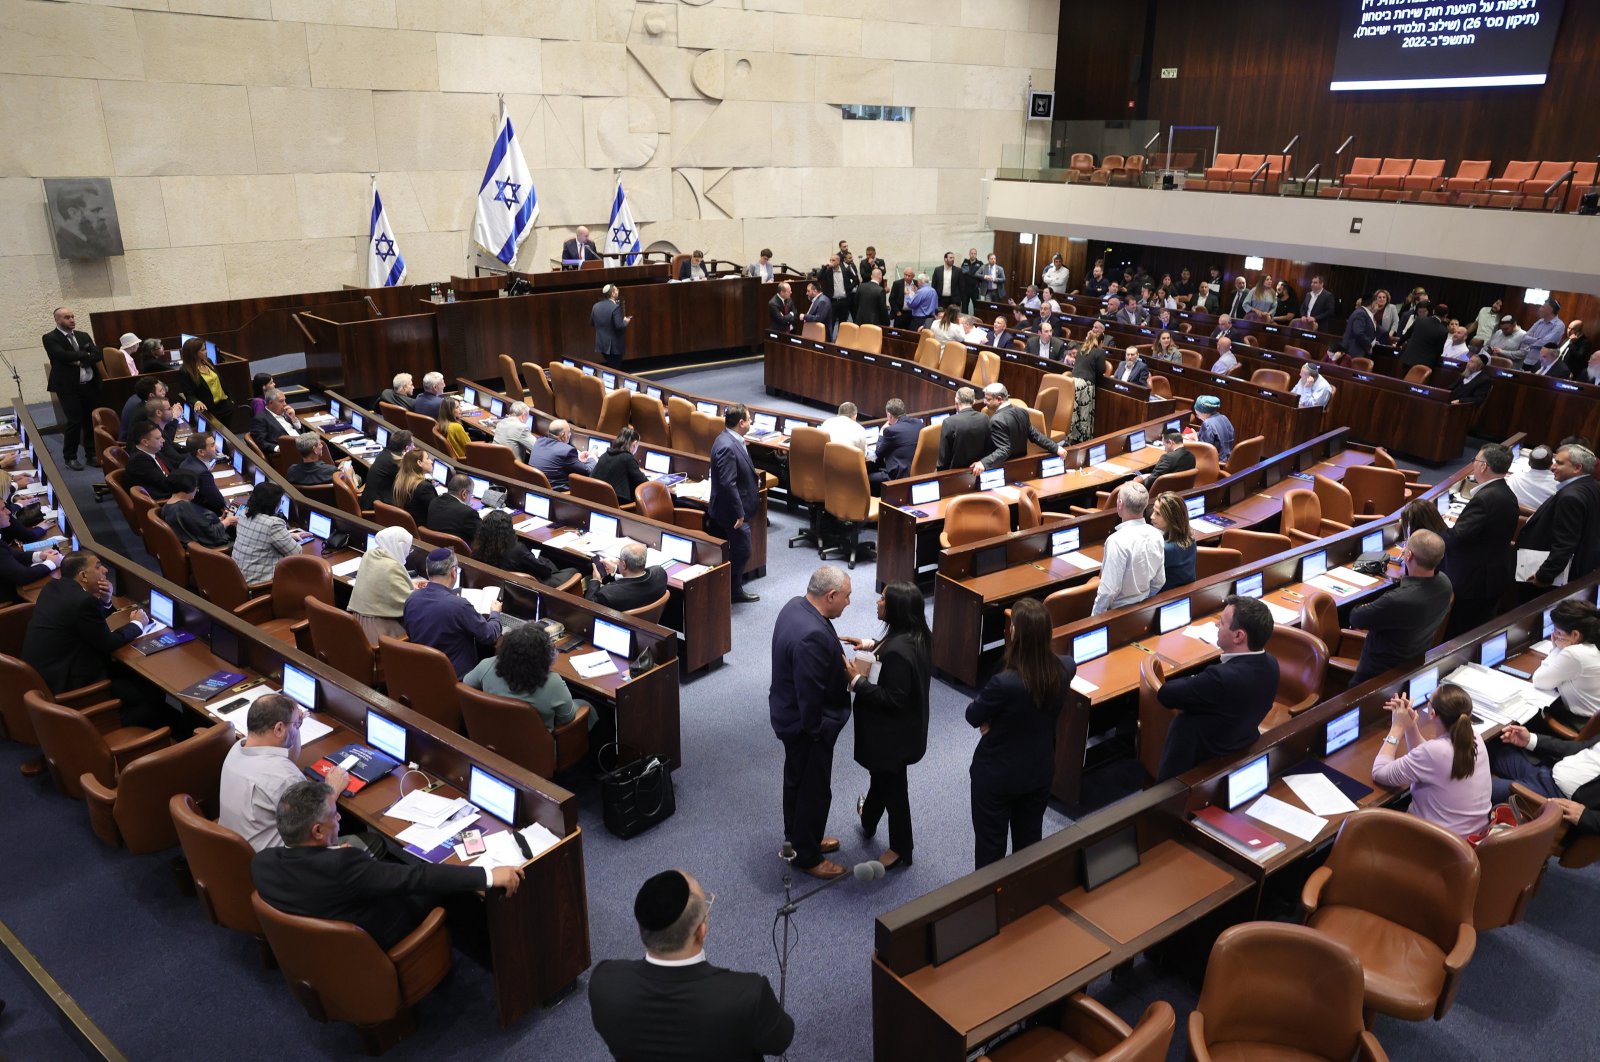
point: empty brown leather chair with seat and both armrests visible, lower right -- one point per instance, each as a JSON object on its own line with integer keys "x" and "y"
{"x": 1399, "y": 893}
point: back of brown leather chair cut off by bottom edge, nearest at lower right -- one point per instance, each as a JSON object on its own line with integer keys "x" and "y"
{"x": 1274, "y": 991}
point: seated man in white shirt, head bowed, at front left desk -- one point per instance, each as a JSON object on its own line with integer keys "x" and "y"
{"x": 260, "y": 769}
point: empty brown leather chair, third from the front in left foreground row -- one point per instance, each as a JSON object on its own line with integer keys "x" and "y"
{"x": 135, "y": 812}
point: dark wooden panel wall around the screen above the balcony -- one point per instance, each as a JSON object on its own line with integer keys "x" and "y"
{"x": 1262, "y": 73}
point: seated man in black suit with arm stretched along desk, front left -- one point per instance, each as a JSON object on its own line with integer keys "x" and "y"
{"x": 313, "y": 877}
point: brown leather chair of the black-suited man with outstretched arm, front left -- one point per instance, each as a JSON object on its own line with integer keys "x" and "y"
{"x": 338, "y": 972}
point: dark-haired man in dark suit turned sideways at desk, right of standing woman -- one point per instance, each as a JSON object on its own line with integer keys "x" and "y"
{"x": 1220, "y": 708}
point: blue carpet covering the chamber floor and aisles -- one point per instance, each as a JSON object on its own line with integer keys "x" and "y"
{"x": 164, "y": 983}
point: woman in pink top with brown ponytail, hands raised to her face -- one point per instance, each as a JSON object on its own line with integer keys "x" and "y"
{"x": 1449, "y": 775}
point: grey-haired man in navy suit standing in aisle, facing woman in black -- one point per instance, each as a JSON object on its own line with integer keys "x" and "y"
{"x": 809, "y": 701}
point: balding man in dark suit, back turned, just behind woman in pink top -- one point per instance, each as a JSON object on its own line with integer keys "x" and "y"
{"x": 1402, "y": 623}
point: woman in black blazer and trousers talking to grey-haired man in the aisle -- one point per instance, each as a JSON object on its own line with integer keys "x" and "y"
{"x": 892, "y": 717}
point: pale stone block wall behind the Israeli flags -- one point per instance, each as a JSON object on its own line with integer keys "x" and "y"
{"x": 241, "y": 135}
